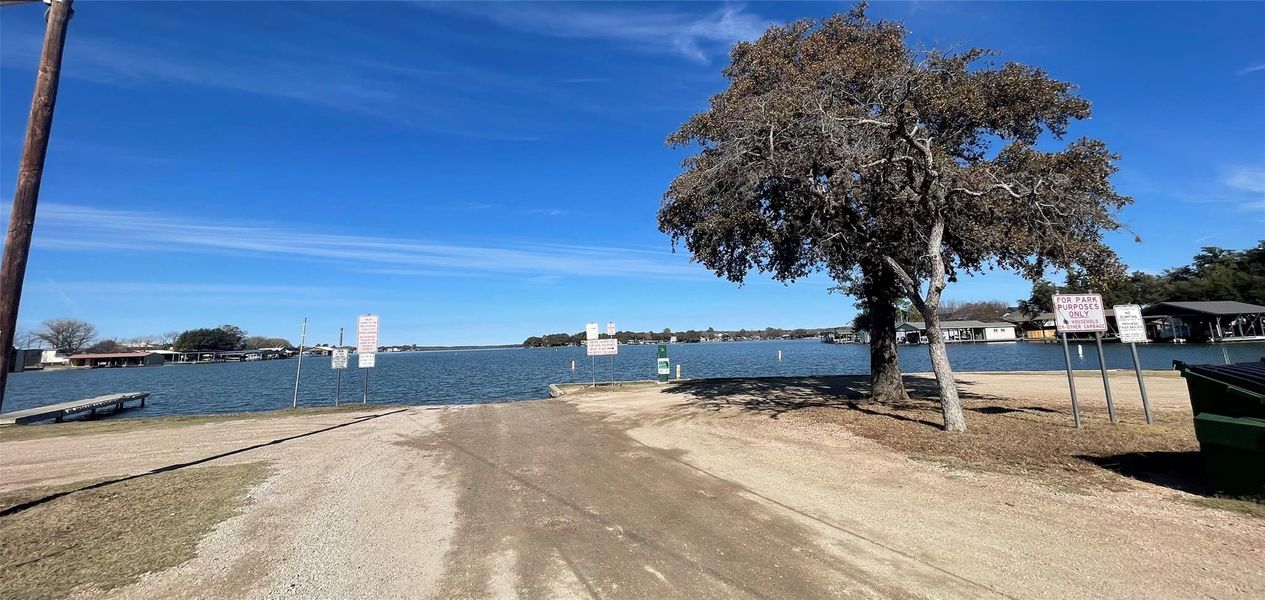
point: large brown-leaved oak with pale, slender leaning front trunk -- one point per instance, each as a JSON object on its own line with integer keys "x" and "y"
{"x": 838, "y": 147}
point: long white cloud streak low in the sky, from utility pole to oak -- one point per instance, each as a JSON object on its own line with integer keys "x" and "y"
{"x": 75, "y": 228}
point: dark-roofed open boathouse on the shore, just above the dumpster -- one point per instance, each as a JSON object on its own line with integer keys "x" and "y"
{"x": 1216, "y": 321}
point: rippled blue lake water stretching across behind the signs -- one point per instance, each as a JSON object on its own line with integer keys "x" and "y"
{"x": 504, "y": 375}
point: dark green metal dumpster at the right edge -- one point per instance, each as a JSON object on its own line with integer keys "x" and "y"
{"x": 1229, "y": 403}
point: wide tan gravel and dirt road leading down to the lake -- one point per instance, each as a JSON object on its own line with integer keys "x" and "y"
{"x": 639, "y": 494}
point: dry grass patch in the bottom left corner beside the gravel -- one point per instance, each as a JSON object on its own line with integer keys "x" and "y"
{"x": 108, "y": 534}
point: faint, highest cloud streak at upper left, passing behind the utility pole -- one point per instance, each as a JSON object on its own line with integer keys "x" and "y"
{"x": 311, "y": 74}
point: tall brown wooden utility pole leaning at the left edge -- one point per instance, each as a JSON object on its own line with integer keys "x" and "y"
{"x": 17, "y": 245}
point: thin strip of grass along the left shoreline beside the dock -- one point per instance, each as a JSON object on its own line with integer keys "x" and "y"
{"x": 17, "y": 434}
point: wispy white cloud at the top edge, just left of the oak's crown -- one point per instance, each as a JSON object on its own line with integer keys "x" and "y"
{"x": 694, "y": 36}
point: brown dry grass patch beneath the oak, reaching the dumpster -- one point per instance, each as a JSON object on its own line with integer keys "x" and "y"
{"x": 1034, "y": 441}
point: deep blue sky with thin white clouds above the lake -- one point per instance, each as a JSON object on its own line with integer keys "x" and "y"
{"x": 484, "y": 173}
